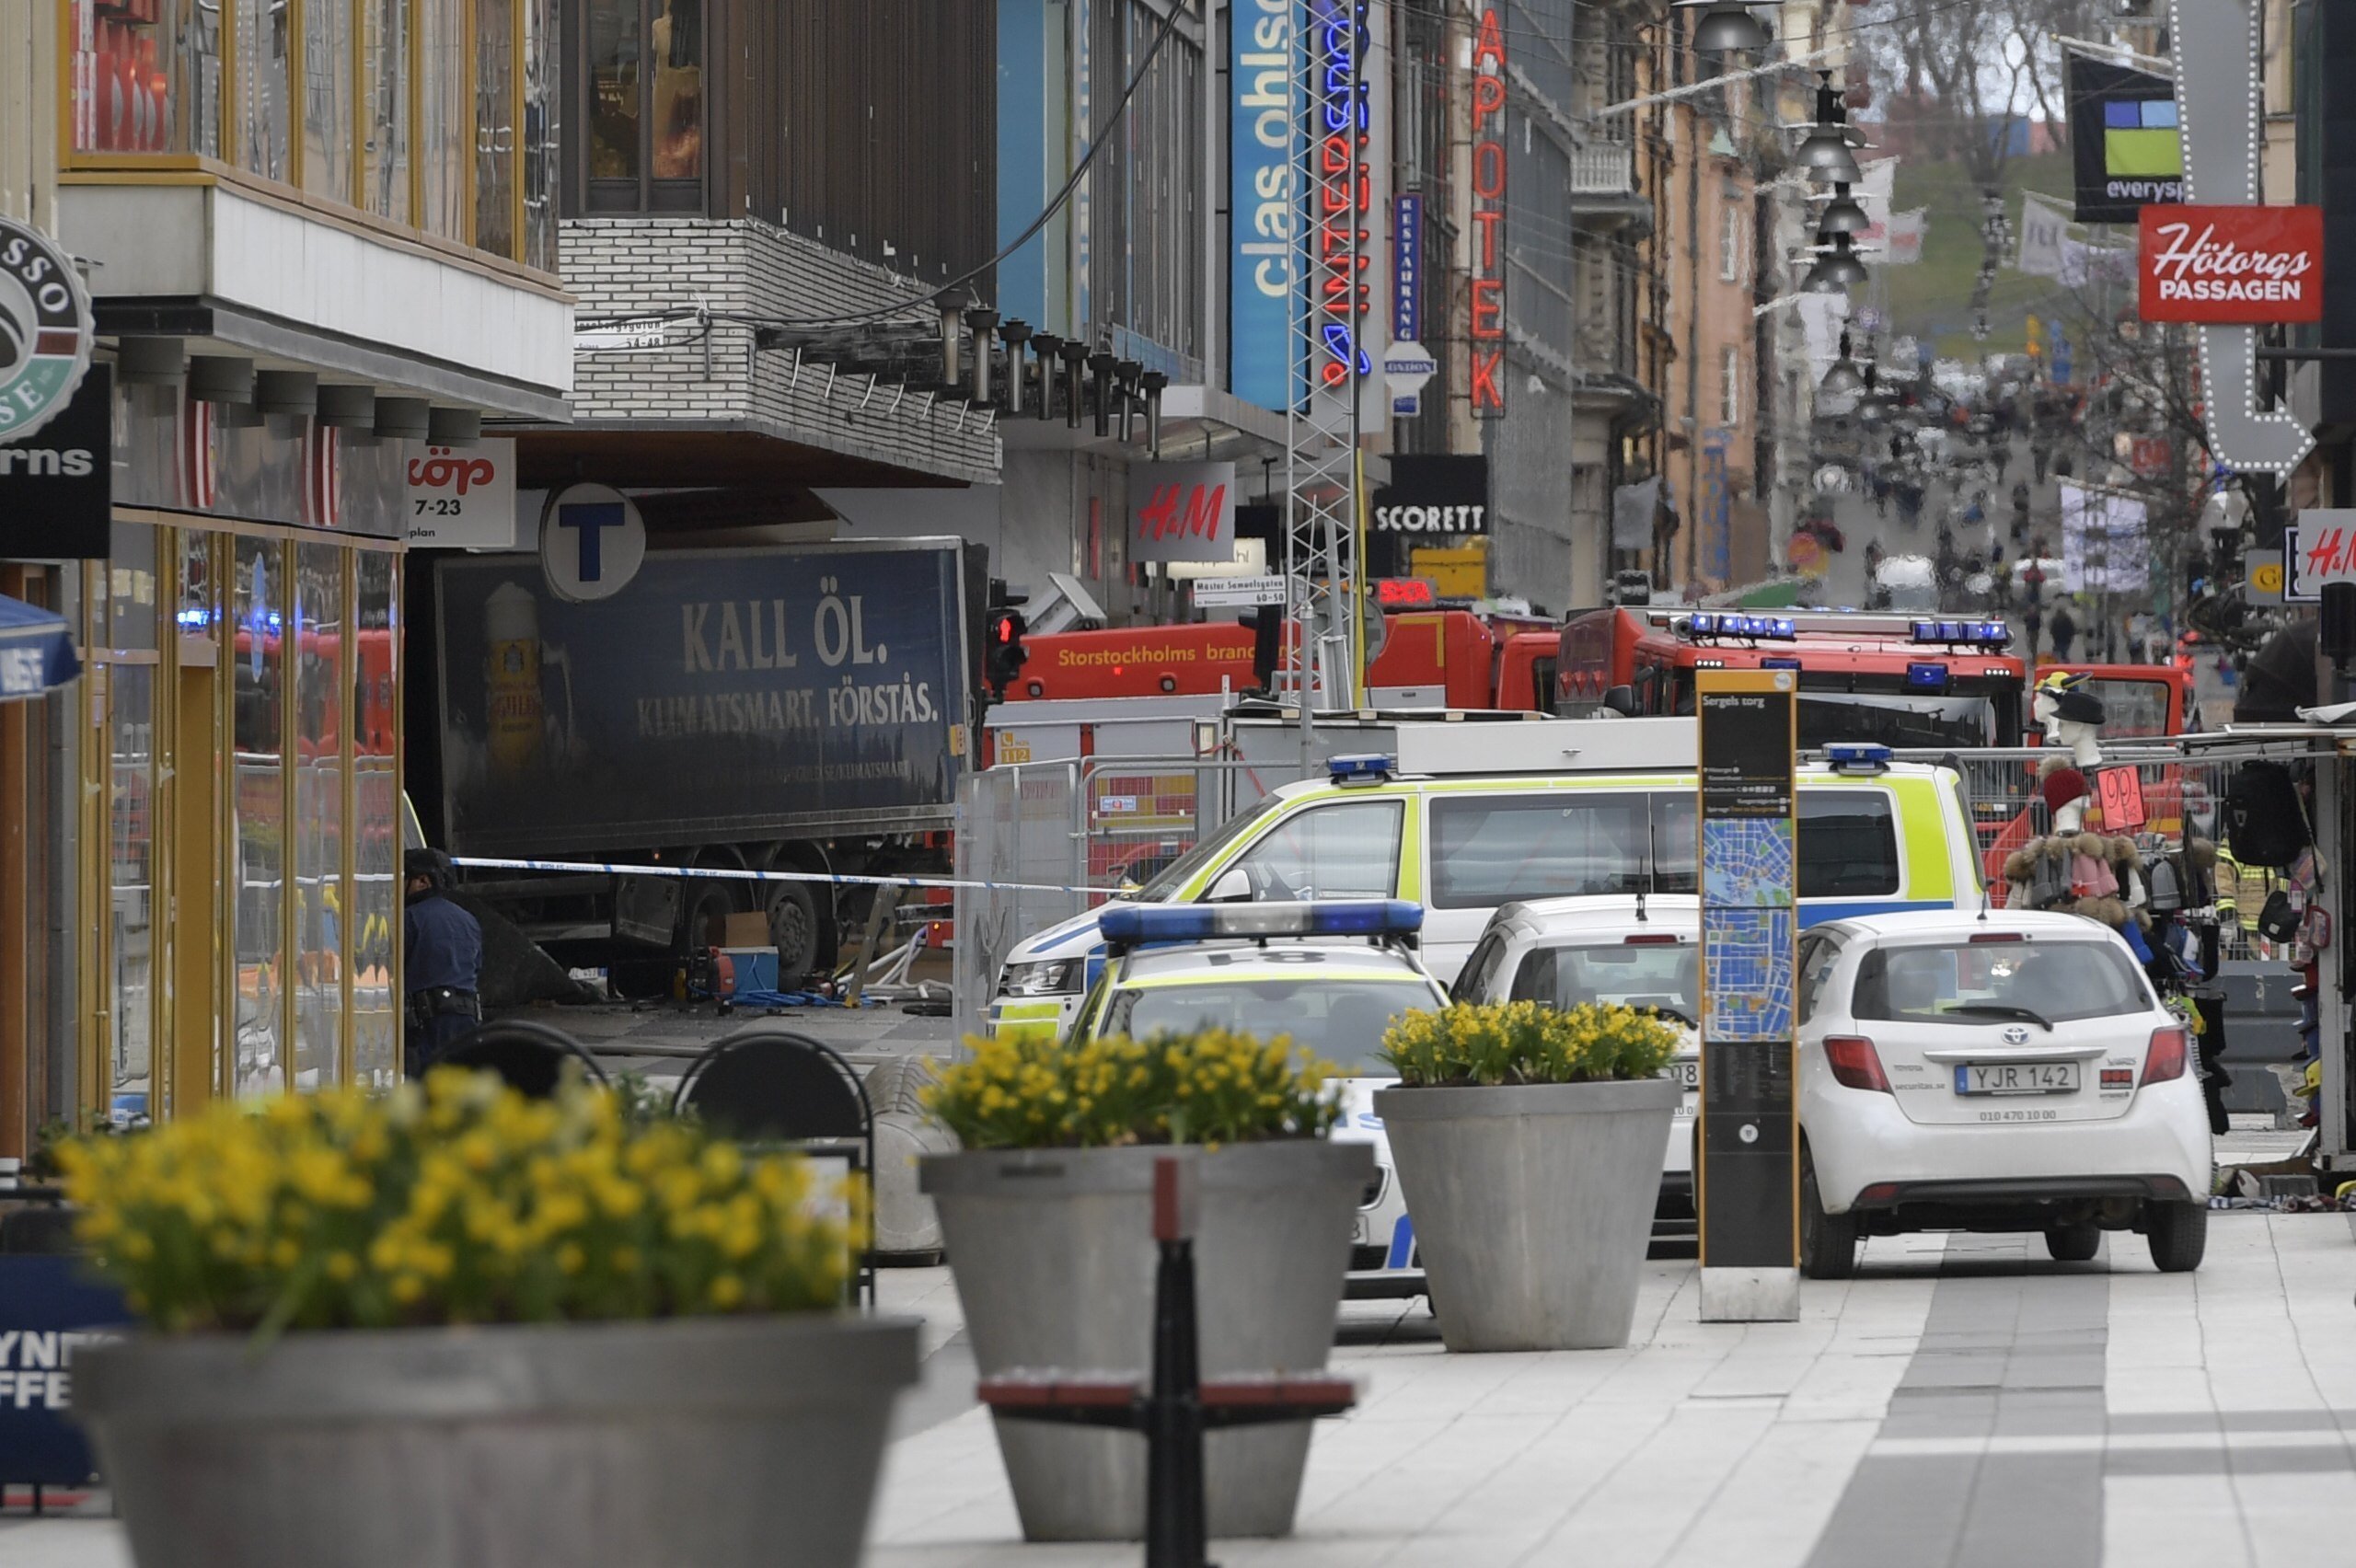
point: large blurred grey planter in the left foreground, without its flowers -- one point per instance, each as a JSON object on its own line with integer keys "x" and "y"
{"x": 597, "y": 1447}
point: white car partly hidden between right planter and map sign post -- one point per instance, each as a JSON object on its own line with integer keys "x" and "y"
{"x": 1639, "y": 952}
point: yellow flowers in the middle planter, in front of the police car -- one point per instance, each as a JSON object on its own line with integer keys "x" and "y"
{"x": 1033, "y": 1091}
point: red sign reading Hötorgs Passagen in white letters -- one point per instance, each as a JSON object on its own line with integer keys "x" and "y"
{"x": 2246, "y": 267}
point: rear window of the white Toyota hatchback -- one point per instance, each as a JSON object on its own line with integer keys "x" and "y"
{"x": 1994, "y": 983}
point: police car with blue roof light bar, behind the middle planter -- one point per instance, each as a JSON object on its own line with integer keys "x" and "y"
{"x": 1328, "y": 976}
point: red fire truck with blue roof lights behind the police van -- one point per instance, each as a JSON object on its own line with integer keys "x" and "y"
{"x": 1891, "y": 679}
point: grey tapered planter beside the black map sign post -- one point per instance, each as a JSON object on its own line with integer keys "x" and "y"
{"x": 1533, "y": 1207}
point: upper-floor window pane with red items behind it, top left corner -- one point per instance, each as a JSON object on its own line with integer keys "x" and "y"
{"x": 147, "y": 79}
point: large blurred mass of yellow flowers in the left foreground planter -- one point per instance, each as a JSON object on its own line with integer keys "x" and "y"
{"x": 456, "y": 1202}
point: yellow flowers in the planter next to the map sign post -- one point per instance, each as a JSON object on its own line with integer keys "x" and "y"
{"x": 1493, "y": 1044}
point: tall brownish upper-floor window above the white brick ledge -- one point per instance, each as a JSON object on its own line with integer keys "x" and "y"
{"x": 647, "y": 105}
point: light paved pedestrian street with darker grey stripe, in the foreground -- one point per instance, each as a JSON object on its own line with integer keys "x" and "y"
{"x": 1964, "y": 1402}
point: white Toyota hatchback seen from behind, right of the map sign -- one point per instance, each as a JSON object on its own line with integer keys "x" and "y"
{"x": 2008, "y": 1072}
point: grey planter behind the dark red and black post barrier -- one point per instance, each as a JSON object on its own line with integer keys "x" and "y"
{"x": 1054, "y": 1265}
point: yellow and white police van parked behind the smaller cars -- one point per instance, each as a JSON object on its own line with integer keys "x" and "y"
{"x": 1469, "y": 818}
